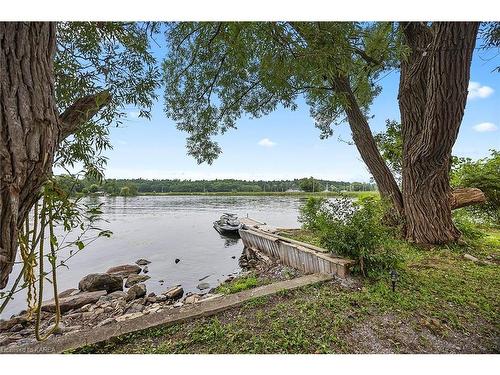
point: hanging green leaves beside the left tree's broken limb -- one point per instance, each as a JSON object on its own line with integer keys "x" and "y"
{"x": 95, "y": 56}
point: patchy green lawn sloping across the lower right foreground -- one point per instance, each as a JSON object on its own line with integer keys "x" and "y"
{"x": 443, "y": 303}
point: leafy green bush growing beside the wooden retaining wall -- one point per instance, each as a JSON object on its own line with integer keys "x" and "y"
{"x": 354, "y": 230}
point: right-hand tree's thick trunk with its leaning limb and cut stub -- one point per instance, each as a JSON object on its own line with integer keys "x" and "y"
{"x": 432, "y": 97}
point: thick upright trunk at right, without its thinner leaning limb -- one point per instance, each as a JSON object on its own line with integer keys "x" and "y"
{"x": 432, "y": 97}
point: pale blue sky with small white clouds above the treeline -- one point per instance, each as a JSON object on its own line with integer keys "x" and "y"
{"x": 286, "y": 144}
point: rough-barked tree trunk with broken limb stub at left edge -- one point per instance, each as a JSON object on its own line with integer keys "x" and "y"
{"x": 30, "y": 127}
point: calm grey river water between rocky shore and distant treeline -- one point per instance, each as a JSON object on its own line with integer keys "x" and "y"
{"x": 163, "y": 228}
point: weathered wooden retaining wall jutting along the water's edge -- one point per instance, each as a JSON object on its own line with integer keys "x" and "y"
{"x": 296, "y": 254}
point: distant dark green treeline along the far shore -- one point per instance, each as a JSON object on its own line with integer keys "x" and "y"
{"x": 137, "y": 186}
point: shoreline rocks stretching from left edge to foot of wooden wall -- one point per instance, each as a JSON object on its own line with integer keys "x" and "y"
{"x": 88, "y": 309}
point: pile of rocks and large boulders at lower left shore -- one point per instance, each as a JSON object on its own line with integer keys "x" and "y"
{"x": 98, "y": 301}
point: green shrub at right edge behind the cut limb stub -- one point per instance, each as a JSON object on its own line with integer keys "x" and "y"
{"x": 485, "y": 175}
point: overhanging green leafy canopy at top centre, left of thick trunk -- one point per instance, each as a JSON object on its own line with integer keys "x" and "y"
{"x": 217, "y": 72}
